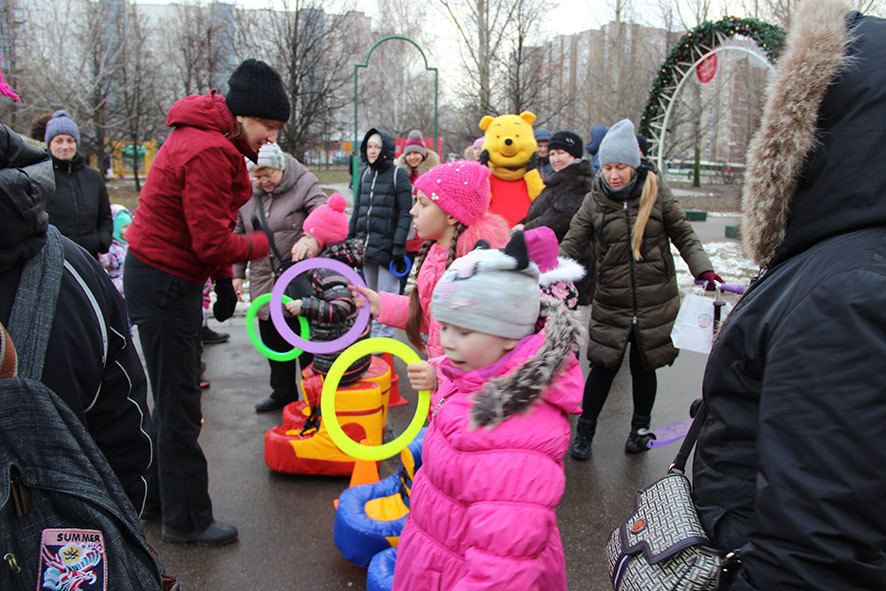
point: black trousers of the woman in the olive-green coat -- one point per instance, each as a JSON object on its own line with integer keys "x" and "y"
{"x": 599, "y": 383}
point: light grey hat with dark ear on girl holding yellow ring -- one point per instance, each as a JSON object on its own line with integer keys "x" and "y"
{"x": 491, "y": 291}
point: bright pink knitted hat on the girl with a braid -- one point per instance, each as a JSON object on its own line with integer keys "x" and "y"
{"x": 460, "y": 188}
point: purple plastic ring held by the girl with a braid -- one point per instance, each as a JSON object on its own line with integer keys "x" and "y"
{"x": 276, "y": 306}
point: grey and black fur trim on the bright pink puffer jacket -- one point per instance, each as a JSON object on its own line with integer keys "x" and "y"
{"x": 517, "y": 391}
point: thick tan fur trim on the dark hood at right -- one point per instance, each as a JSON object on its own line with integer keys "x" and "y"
{"x": 816, "y": 46}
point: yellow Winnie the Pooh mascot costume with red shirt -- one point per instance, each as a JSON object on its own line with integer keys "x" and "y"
{"x": 509, "y": 152}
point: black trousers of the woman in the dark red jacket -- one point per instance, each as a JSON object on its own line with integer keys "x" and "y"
{"x": 167, "y": 311}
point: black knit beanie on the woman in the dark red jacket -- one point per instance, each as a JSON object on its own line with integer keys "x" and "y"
{"x": 256, "y": 90}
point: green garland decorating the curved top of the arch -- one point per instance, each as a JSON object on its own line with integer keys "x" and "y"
{"x": 693, "y": 48}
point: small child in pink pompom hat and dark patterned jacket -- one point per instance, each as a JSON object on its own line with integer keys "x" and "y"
{"x": 329, "y": 309}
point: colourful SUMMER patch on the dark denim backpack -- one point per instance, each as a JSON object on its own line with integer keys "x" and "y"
{"x": 72, "y": 560}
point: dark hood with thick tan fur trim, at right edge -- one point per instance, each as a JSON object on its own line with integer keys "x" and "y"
{"x": 813, "y": 169}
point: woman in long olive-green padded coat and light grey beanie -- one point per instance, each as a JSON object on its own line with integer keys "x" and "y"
{"x": 634, "y": 217}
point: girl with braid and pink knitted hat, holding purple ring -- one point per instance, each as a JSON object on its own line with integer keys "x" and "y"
{"x": 450, "y": 212}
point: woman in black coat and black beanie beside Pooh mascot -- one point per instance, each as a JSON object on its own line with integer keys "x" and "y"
{"x": 562, "y": 196}
